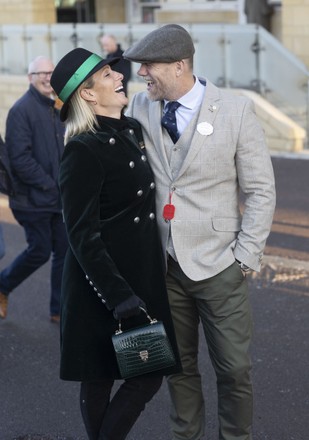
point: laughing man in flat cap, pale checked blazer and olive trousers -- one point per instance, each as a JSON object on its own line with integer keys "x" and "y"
{"x": 205, "y": 145}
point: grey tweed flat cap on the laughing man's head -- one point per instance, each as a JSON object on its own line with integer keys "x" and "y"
{"x": 166, "y": 44}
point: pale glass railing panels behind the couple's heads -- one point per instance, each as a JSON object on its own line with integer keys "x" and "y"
{"x": 237, "y": 56}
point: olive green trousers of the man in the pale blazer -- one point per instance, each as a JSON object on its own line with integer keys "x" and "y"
{"x": 222, "y": 306}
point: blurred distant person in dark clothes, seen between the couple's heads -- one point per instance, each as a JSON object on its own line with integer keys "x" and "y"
{"x": 112, "y": 49}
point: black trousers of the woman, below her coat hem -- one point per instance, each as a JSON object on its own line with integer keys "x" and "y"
{"x": 111, "y": 418}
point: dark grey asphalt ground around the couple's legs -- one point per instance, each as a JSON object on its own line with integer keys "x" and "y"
{"x": 36, "y": 405}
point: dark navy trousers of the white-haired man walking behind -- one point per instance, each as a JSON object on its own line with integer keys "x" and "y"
{"x": 45, "y": 234}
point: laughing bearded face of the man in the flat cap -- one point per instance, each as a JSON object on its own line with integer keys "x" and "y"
{"x": 161, "y": 80}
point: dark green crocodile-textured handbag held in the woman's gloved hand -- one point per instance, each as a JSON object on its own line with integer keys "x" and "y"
{"x": 143, "y": 349}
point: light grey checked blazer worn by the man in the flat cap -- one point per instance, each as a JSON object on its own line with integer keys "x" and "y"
{"x": 209, "y": 231}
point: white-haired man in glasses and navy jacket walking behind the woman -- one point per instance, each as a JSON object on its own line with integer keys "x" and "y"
{"x": 35, "y": 143}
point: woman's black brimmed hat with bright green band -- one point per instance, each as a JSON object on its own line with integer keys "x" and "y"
{"x": 72, "y": 70}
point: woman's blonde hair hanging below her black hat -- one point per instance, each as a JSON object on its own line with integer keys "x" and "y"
{"x": 81, "y": 116}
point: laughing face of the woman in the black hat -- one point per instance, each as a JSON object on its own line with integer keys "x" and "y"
{"x": 107, "y": 92}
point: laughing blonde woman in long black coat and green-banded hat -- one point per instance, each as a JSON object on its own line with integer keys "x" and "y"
{"x": 115, "y": 263}
